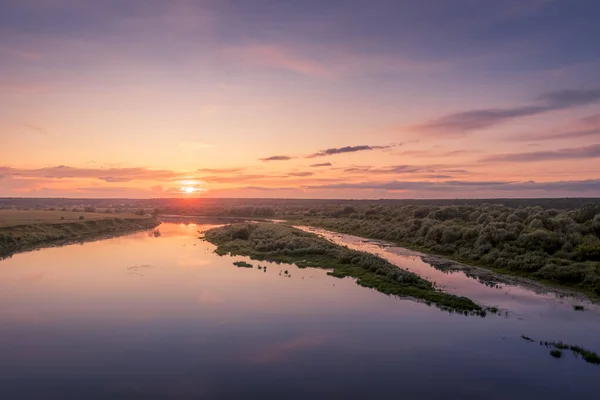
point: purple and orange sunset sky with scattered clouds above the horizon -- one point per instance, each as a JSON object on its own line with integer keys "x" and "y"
{"x": 299, "y": 99}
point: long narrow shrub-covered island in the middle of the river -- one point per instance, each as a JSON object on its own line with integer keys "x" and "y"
{"x": 282, "y": 243}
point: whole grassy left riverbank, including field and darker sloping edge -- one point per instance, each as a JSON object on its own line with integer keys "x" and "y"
{"x": 27, "y": 230}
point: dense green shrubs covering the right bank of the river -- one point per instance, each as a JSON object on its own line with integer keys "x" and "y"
{"x": 557, "y": 245}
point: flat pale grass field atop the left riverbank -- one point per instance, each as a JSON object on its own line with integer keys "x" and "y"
{"x": 9, "y": 218}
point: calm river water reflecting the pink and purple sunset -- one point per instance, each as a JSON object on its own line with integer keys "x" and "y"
{"x": 163, "y": 317}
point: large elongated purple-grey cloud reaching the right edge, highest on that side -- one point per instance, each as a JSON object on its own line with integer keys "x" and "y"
{"x": 467, "y": 121}
